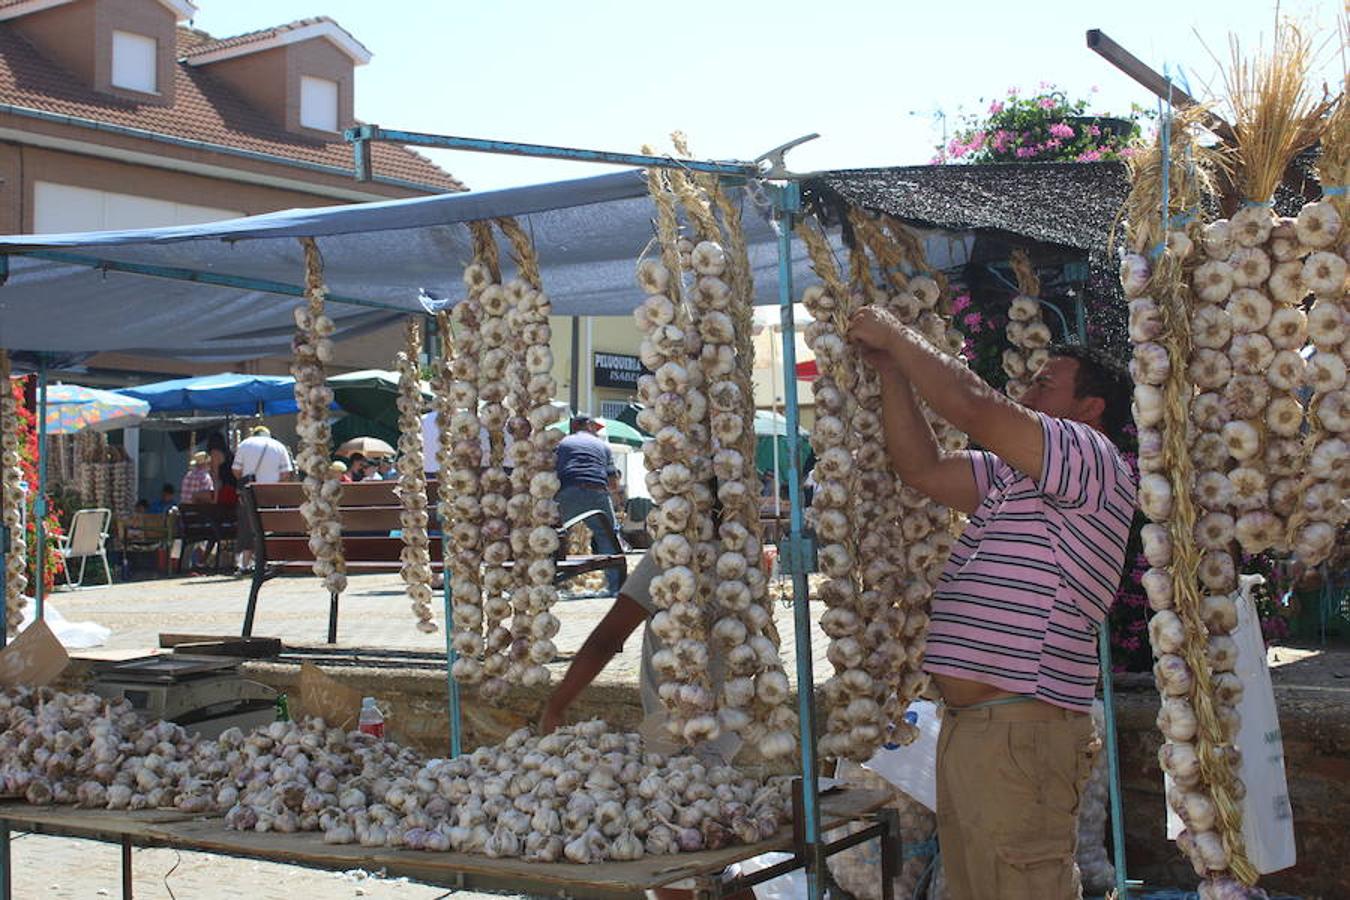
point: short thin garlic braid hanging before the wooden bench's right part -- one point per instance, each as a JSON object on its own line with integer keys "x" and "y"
{"x": 412, "y": 484}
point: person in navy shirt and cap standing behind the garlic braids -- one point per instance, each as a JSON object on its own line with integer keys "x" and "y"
{"x": 588, "y": 474}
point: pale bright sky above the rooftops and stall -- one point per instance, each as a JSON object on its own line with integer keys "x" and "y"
{"x": 878, "y": 80}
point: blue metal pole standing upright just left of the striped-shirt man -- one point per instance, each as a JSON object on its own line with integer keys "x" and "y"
{"x": 788, "y": 200}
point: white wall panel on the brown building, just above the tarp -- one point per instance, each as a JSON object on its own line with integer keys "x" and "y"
{"x": 64, "y": 208}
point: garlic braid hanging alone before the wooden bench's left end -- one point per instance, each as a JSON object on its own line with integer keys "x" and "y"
{"x": 314, "y": 349}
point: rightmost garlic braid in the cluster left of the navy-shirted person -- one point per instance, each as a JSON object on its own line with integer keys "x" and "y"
{"x": 534, "y": 538}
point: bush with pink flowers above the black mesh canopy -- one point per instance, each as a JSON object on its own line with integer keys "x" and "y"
{"x": 1043, "y": 128}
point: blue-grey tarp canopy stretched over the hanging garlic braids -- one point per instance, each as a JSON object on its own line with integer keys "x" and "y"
{"x": 71, "y": 293}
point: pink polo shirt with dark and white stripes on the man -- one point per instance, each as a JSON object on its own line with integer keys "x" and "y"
{"x": 1036, "y": 570}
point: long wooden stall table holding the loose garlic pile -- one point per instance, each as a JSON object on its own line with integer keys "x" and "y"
{"x": 605, "y": 880}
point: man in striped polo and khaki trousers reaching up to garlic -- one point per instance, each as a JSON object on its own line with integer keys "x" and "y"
{"x": 1012, "y": 639}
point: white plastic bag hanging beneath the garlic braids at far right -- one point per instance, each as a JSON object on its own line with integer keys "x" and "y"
{"x": 1267, "y": 816}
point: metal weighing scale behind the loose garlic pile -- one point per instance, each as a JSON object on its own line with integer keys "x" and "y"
{"x": 203, "y": 694}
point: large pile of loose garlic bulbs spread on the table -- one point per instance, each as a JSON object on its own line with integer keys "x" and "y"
{"x": 583, "y": 794}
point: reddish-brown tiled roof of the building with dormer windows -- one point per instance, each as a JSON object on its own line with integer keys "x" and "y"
{"x": 205, "y": 110}
